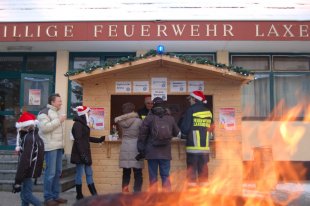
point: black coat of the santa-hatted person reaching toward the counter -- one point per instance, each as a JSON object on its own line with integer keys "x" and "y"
{"x": 81, "y": 153}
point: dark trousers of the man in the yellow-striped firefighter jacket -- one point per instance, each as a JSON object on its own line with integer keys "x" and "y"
{"x": 197, "y": 164}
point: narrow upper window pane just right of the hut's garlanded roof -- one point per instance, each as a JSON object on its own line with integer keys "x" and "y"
{"x": 253, "y": 63}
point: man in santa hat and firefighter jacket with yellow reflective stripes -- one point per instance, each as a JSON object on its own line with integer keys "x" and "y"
{"x": 195, "y": 128}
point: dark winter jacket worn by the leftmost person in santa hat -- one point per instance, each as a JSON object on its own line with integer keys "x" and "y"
{"x": 31, "y": 156}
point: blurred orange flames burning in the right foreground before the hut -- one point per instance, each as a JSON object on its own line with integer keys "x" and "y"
{"x": 227, "y": 185}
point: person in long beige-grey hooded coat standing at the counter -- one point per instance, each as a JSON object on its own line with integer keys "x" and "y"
{"x": 130, "y": 124}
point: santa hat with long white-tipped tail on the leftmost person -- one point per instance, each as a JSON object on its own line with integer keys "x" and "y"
{"x": 25, "y": 120}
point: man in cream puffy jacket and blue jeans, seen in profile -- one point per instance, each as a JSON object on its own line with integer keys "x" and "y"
{"x": 51, "y": 131}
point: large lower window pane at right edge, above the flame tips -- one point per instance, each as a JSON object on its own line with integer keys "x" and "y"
{"x": 291, "y": 91}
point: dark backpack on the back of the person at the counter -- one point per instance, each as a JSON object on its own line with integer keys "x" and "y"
{"x": 161, "y": 131}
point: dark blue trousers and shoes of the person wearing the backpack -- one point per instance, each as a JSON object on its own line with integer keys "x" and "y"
{"x": 164, "y": 170}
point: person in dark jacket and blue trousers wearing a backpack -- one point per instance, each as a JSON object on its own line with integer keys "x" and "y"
{"x": 157, "y": 152}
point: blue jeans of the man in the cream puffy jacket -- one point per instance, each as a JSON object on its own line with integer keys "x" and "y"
{"x": 53, "y": 160}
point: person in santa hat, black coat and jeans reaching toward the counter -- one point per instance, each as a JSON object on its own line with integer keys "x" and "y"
{"x": 81, "y": 153}
